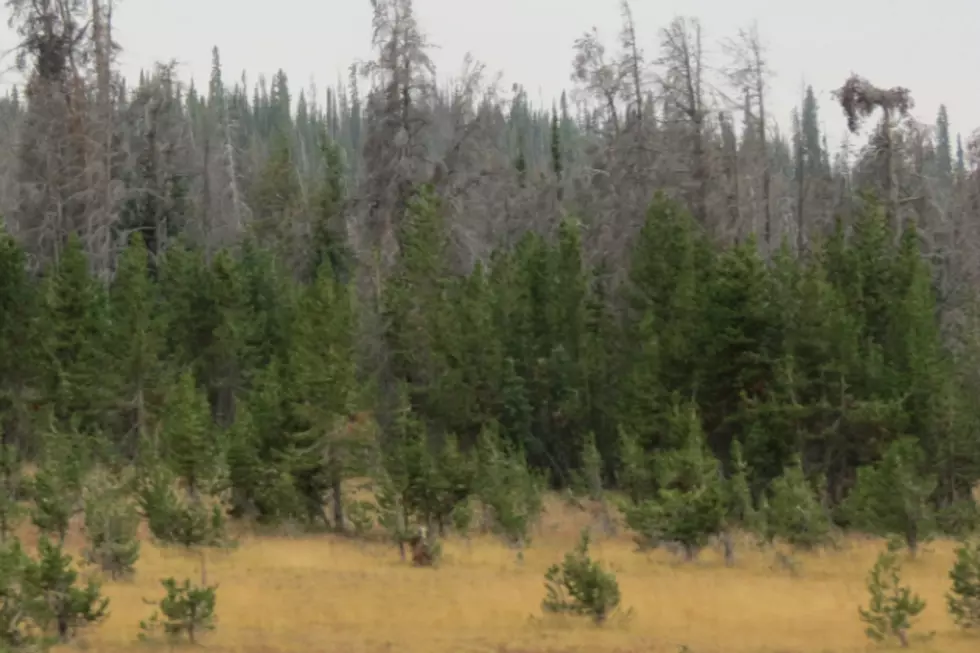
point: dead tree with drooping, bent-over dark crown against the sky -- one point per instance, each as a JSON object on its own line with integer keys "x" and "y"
{"x": 859, "y": 99}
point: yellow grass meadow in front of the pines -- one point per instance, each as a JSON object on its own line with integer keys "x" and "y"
{"x": 320, "y": 593}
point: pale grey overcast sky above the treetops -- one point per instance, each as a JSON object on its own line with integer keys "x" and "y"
{"x": 928, "y": 47}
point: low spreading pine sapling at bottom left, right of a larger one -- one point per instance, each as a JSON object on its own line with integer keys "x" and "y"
{"x": 186, "y": 610}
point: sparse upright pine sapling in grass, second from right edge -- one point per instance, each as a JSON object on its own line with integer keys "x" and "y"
{"x": 893, "y": 605}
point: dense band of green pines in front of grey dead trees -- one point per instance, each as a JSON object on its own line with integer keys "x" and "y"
{"x": 233, "y": 367}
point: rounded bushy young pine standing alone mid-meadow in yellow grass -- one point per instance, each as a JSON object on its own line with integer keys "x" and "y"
{"x": 580, "y": 586}
